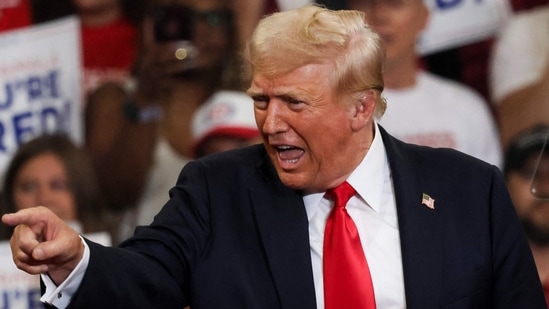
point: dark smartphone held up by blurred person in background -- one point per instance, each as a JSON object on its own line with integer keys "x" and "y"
{"x": 173, "y": 23}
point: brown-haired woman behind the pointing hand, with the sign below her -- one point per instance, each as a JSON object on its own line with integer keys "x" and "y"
{"x": 52, "y": 171}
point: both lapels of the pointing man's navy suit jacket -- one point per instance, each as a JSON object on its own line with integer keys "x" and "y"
{"x": 282, "y": 223}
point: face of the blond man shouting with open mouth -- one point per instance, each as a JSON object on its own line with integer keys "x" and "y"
{"x": 306, "y": 127}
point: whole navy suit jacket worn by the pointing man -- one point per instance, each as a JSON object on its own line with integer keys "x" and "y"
{"x": 233, "y": 236}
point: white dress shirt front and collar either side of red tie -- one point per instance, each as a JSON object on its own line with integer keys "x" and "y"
{"x": 373, "y": 210}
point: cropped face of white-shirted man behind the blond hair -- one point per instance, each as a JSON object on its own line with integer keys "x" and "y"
{"x": 398, "y": 22}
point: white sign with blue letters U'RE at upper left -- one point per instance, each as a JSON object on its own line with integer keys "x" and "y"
{"x": 40, "y": 84}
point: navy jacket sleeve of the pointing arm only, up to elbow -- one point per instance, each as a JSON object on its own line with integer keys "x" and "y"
{"x": 152, "y": 269}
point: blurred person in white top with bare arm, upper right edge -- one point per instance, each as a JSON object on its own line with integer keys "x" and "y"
{"x": 519, "y": 73}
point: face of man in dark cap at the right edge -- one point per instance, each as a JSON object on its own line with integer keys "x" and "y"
{"x": 532, "y": 209}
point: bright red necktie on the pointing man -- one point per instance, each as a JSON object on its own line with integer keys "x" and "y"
{"x": 347, "y": 281}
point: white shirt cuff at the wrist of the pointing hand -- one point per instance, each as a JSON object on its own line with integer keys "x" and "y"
{"x": 60, "y": 296}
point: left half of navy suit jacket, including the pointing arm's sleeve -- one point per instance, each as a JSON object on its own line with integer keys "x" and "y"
{"x": 230, "y": 236}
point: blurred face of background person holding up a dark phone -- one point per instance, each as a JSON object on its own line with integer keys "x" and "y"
{"x": 208, "y": 25}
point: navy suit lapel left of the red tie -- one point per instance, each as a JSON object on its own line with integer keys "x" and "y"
{"x": 283, "y": 225}
